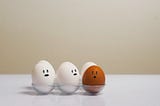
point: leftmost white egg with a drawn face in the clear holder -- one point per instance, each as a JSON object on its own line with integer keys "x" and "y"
{"x": 43, "y": 76}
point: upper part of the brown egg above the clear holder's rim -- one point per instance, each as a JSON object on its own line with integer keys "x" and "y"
{"x": 94, "y": 75}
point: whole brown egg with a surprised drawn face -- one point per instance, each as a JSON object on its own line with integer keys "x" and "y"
{"x": 93, "y": 79}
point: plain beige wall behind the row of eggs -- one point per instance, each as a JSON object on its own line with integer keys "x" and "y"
{"x": 123, "y": 36}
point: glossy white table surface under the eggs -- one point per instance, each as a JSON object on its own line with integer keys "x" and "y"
{"x": 121, "y": 90}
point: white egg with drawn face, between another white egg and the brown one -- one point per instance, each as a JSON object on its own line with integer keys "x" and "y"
{"x": 68, "y": 78}
